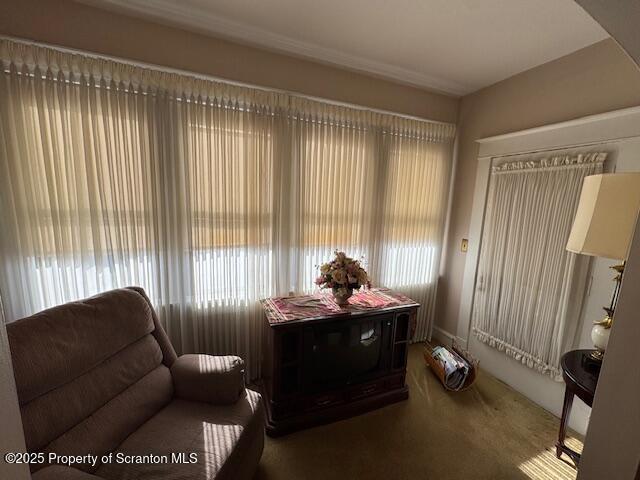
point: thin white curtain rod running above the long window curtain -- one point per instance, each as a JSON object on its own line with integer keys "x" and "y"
{"x": 166, "y": 69}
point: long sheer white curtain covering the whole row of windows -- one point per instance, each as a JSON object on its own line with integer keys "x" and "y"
{"x": 208, "y": 195}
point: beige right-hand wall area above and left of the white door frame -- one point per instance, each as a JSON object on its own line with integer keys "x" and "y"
{"x": 593, "y": 80}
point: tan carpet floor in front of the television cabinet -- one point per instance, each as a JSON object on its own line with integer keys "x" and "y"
{"x": 487, "y": 432}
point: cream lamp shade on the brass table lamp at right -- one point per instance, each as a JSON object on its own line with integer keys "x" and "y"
{"x": 606, "y": 216}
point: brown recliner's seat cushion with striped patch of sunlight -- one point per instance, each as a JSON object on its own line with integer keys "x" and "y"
{"x": 227, "y": 441}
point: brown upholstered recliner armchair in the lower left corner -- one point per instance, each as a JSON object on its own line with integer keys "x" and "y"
{"x": 100, "y": 377}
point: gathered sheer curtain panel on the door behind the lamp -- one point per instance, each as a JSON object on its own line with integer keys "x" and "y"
{"x": 529, "y": 289}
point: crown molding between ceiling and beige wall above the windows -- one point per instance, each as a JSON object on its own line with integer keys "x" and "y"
{"x": 202, "y": 21}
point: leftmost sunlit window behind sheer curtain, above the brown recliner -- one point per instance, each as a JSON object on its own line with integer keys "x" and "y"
{"x": 75, "y": 224}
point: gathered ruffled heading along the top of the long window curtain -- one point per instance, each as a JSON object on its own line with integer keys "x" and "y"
{"x": 55, "y": 64}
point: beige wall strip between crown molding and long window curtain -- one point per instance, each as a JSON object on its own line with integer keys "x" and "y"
{"x": 74, "y": 25}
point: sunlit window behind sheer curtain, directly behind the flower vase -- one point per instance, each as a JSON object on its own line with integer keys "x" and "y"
{"x": 335, "y": 190}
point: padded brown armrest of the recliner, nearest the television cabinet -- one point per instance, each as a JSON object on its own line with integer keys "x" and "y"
{"x": 208, "y": 378}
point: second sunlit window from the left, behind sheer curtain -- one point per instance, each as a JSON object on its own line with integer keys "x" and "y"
{"x": 229, "y": 187}
